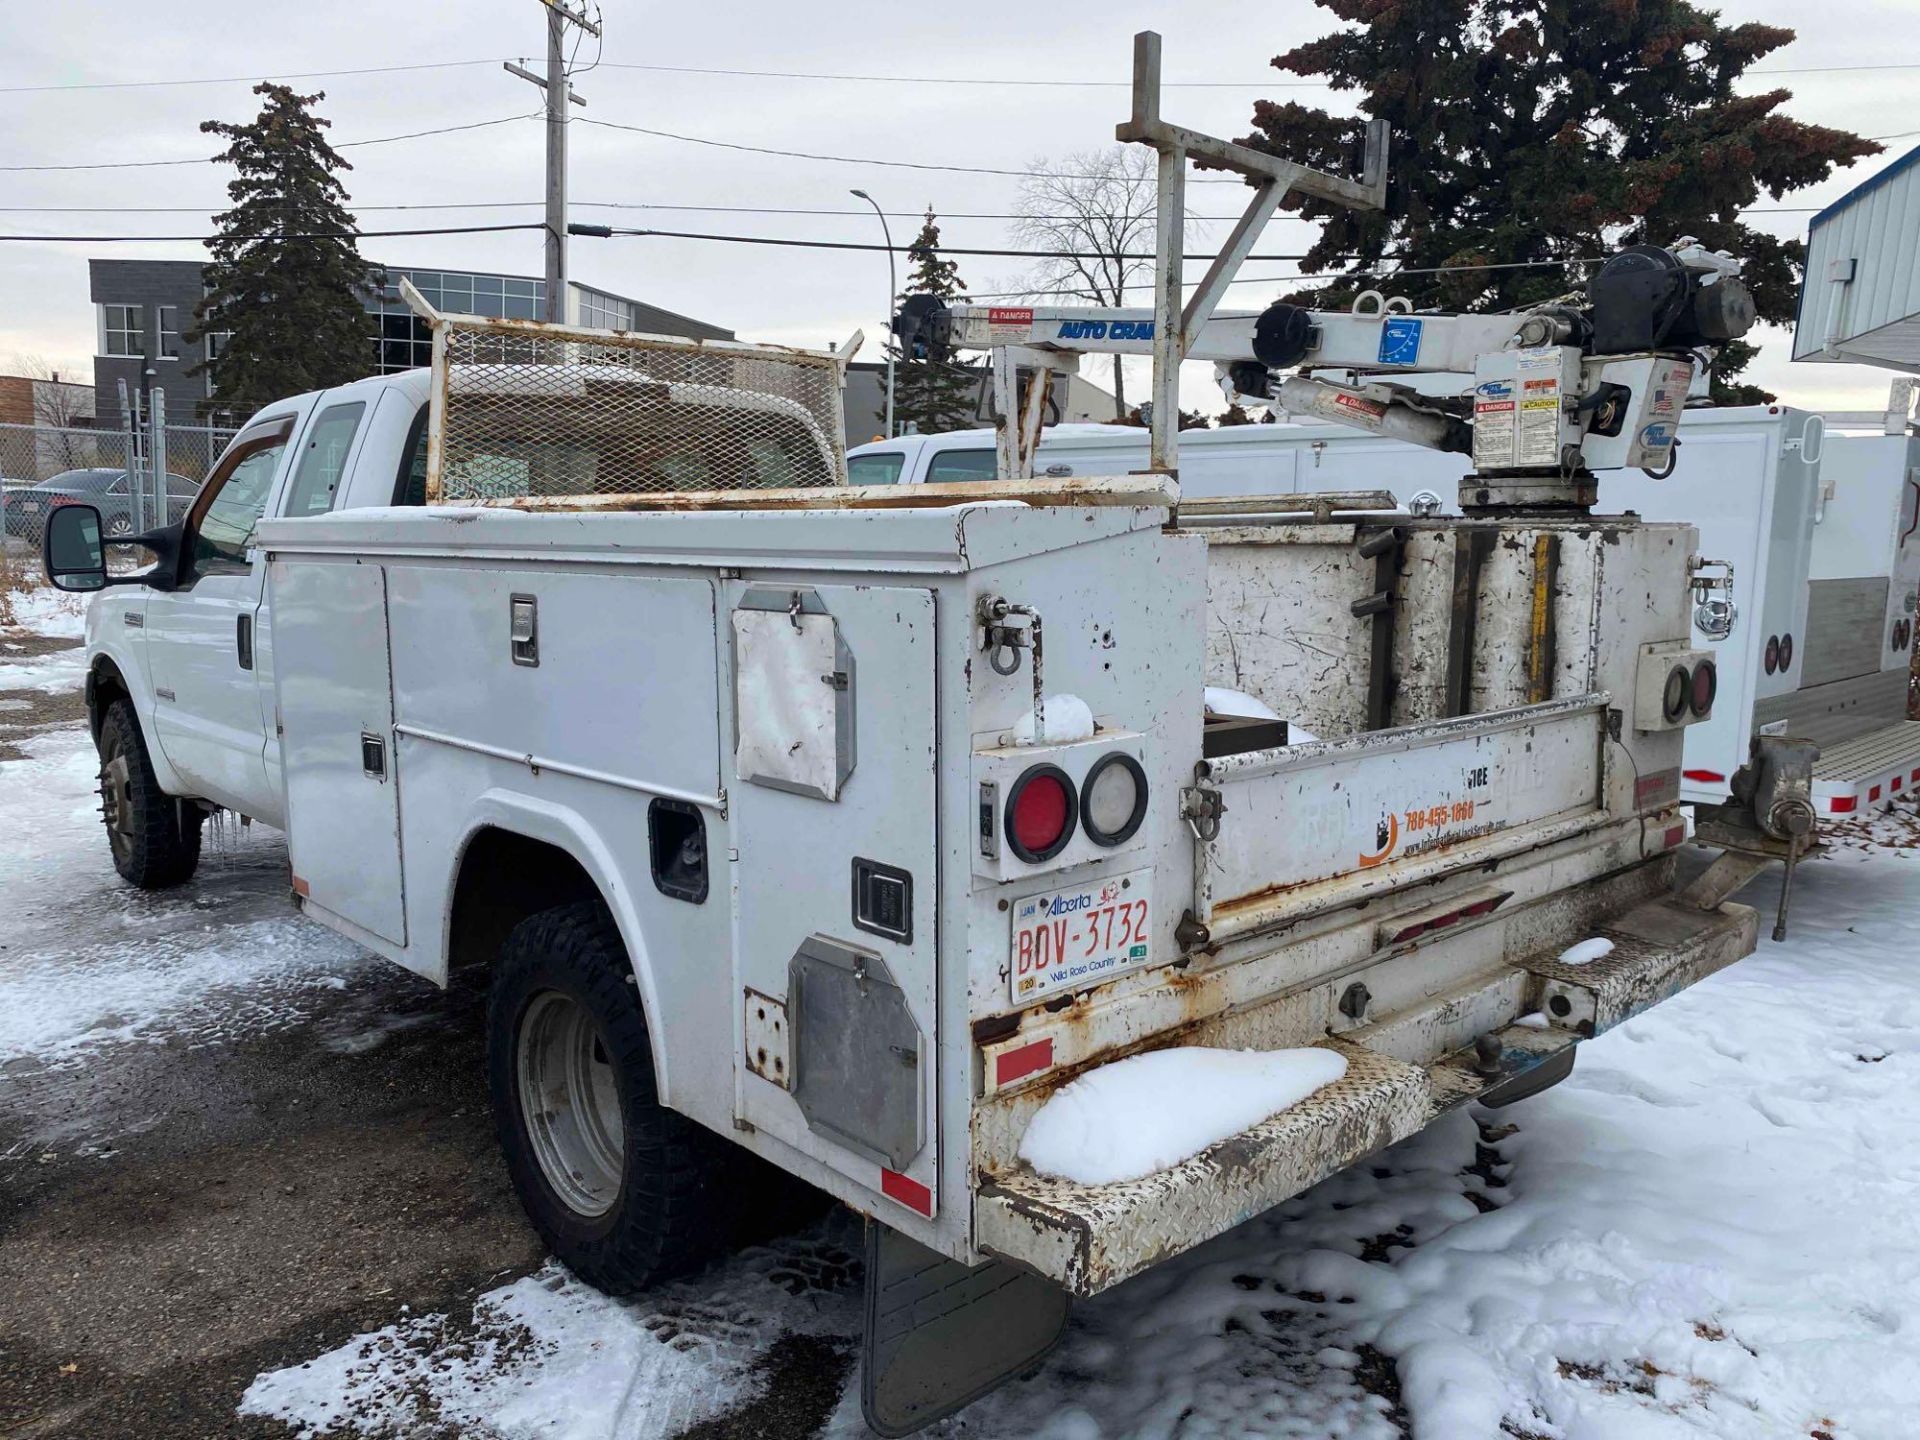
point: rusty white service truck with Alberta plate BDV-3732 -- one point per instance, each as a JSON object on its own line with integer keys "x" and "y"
{"x": 836, "y": 830}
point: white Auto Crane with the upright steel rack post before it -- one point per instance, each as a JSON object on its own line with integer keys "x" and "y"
{"x": 1558, "y": 393}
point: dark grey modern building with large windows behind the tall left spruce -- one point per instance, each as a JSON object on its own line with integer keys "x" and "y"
{"x": 143, "y": 308}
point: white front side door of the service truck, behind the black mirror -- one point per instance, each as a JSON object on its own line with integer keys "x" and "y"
{"x": 201, "y": 635}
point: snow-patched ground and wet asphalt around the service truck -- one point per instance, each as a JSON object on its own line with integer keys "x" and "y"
{"x": 1712, "y": 1230}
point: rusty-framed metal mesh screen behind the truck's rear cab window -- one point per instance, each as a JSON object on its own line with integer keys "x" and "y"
{"x": 556, "y": 416}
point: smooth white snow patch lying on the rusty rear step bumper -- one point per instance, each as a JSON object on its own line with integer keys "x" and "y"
{"x": 1155, "y": 1111}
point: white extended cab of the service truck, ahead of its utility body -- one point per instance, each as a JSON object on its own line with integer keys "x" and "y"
{"x": 193, "y": 654}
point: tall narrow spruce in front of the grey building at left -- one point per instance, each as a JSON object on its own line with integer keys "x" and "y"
{"x": 287, "y": 285}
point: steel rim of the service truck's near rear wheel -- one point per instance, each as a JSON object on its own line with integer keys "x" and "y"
{"x": 571, "y": 1103}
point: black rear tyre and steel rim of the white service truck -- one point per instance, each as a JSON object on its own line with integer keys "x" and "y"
{"x": 623, "y": 1189}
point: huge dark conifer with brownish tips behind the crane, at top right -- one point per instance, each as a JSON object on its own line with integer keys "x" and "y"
{"x": 1533, "y": 132}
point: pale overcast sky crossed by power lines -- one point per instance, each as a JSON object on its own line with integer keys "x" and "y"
{"x": 796, "y": 297}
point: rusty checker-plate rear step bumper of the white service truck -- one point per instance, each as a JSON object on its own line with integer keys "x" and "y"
{"x": 1092, "y": 1237}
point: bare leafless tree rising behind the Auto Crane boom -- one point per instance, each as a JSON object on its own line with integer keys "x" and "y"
{"x": 1099, "y": 210}
